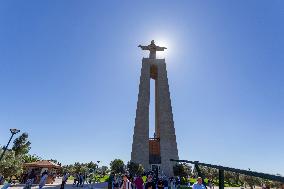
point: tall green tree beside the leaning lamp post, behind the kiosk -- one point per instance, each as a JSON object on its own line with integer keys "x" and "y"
{"x": 21, "y": 145}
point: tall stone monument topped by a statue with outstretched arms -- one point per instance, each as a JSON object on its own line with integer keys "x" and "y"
{"x": 155, "y": 152}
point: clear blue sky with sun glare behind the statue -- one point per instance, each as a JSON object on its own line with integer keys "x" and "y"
{"x": 69, "y": 76}
